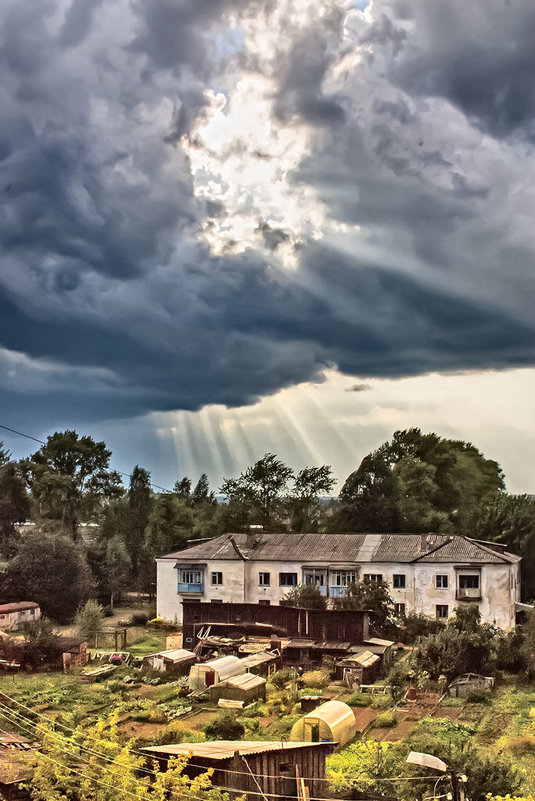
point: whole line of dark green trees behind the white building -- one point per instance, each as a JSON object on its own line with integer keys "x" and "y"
{"x": 416, "y": 482}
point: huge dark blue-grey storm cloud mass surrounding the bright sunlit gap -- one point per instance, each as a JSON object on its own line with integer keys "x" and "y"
{"x": 120, "y": 310}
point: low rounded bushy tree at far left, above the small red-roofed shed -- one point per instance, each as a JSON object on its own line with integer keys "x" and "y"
{"x": 51, "y": 570}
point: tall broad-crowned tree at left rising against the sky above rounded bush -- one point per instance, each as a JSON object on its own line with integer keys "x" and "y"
{"x": 69, "y": 478}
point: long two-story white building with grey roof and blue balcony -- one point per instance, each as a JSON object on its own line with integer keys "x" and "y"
{"x": 427, "y": 573}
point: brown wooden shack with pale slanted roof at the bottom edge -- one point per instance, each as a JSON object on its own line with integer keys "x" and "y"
{"x": 252, "y": 766}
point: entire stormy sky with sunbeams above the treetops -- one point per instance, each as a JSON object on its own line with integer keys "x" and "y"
{"x": 233, "y": 226}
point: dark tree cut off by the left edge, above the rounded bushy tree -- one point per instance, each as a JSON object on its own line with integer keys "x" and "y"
{"x": 14, "y": 500}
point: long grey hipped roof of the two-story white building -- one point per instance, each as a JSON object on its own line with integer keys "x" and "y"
{"x": 341, "y": 550}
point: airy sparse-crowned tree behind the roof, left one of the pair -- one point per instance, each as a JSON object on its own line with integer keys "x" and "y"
{"x": 259, "y": 490}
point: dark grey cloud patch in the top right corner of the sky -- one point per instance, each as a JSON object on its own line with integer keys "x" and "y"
{"x": 480, "y": 56}
